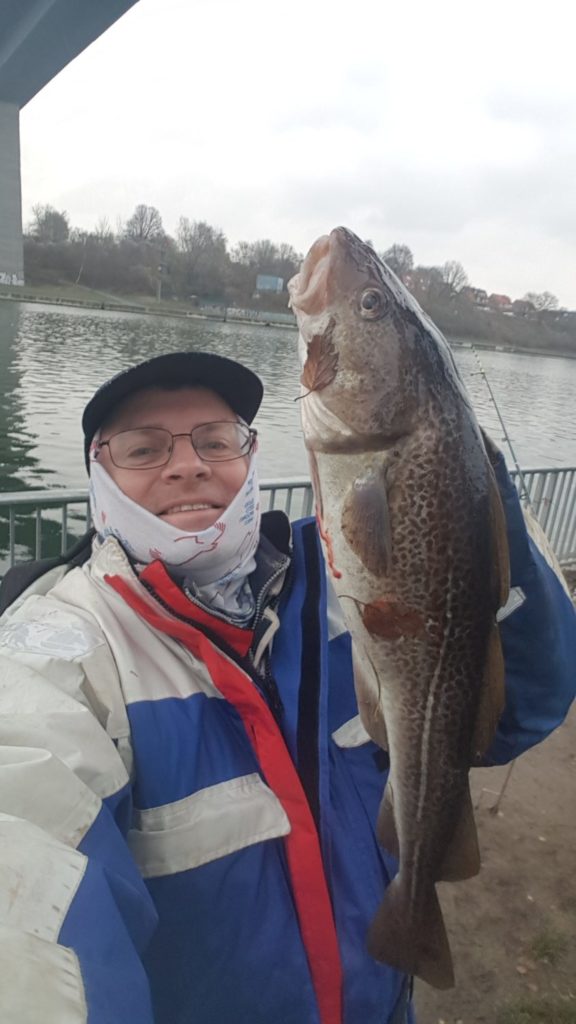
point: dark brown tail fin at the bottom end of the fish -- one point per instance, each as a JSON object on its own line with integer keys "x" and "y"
{"x": 417, "y": 945}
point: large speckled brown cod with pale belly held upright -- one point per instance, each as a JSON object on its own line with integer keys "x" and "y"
{"x": 416, "y": 540}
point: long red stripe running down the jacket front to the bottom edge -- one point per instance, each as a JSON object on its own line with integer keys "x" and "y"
{"x": 303, "y": 847}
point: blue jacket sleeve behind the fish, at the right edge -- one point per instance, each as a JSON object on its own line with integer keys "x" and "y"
{"x": 539, "y": 634}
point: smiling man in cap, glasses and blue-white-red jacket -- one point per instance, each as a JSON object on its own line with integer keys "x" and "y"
{"x": 188, "y": 798}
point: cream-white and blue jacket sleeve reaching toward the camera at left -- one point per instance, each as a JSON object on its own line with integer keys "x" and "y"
{"x": 74, "y": 912}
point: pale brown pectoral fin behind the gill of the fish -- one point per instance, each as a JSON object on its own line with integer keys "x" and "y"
{"x": 366, "y": 524}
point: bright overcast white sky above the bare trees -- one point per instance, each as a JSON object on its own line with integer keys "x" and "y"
{"x": 445, "y": 126}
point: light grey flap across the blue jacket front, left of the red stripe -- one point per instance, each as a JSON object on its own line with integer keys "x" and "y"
{"x": 209, "y": 825}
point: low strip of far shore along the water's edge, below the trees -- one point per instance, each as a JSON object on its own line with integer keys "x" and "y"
{"x": 86, "y": 298}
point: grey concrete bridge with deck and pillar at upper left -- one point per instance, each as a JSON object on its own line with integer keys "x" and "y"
{"x": 38, "y": 38}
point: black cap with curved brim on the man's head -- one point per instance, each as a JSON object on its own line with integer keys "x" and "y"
{"x": 235, "y": 383}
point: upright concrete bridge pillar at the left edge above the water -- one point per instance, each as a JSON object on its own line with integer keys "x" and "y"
{"x": 12, "y": 251}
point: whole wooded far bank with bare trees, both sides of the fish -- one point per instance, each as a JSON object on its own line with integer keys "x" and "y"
{"x": 140, "y": 269}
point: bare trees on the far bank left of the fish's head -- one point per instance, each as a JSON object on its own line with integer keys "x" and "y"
{"x": 141, "y": 259}
